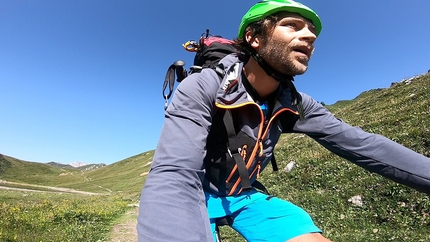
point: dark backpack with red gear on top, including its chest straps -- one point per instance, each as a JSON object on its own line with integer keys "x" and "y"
{"x": 209, "y": 51}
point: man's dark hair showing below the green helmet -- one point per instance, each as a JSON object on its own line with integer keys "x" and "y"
{"x": 263, "y": 27}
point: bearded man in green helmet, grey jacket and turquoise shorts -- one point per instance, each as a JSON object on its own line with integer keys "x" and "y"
{"x": 195, "y": 176}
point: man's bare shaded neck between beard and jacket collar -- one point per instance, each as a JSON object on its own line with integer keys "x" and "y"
{"x": 263, "y": 84}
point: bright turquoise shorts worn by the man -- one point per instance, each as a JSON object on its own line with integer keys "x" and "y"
{"x": 259, "y": 217}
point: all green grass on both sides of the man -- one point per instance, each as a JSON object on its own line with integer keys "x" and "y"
{"x": 321, "y": 182}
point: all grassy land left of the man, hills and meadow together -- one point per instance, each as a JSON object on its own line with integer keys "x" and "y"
{"x": 46, "y": 213}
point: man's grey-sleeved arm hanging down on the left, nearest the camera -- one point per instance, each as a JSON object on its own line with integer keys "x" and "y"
{"x": 172, "y": 205}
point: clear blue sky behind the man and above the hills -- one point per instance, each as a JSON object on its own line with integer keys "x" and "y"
{"x": 82, "y": 80}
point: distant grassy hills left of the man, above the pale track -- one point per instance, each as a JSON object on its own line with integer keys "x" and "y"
{"x": 125, "y": 177}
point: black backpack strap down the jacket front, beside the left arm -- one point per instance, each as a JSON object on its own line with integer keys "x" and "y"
{"x": 233, "y": 147}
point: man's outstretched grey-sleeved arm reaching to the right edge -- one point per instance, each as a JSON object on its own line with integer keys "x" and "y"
{"x": 370, "y": 151}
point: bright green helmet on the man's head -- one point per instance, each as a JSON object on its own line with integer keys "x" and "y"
{"x": 267, "y": 7}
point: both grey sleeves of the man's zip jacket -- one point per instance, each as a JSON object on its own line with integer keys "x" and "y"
{"x": 172, "y": 206}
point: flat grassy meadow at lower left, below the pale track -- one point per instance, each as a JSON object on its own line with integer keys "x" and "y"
{"x": 57, "y": 217}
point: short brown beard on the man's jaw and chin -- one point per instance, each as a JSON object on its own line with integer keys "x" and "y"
{"x": 280, "y": 56}
